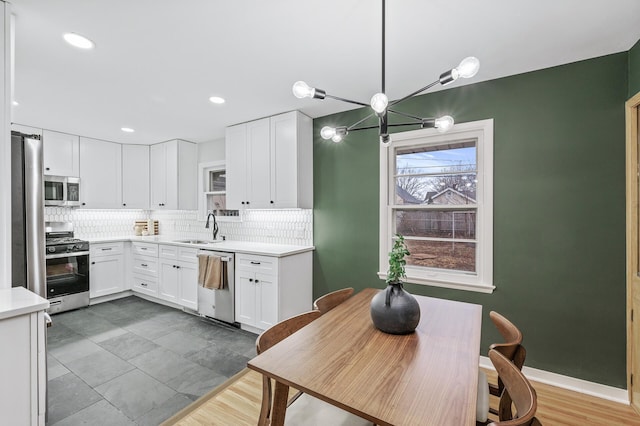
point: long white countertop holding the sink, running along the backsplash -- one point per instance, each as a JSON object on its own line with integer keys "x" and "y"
{"x": 247, "y": 247}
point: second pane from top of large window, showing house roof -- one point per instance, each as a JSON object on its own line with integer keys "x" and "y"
{"x": 451, "y": 189}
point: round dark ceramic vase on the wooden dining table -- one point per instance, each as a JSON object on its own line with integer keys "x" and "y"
{"x": 394, "y": 310}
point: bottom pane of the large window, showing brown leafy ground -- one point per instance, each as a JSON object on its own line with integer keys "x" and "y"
{"x": 442, "y": 255}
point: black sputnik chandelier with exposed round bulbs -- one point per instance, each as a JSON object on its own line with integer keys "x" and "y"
{"x": 382, "y": 106}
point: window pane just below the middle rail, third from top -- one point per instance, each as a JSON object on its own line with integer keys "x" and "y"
{"x": 436, "y": 224}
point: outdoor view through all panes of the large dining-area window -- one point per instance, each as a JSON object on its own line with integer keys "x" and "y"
{"x": 437, "y": 185}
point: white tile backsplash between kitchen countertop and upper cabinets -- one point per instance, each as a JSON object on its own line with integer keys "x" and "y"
{"x": 293, "y": 226}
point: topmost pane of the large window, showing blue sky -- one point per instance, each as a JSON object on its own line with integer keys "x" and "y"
{"x": 444, "y": 158}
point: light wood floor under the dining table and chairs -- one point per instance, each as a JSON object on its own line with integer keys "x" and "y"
{"x": 237, "y": 403}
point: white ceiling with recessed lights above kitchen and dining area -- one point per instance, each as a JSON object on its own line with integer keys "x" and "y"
{"x": 157, "y": 62}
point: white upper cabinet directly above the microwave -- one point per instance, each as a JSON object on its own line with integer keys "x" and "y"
{"x": 61, "y": 154}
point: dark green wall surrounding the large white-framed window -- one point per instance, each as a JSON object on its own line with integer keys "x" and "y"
{"x": 559, "y": 211}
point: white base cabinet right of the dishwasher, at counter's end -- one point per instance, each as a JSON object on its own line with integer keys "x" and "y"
{"x": 271, "y": 289}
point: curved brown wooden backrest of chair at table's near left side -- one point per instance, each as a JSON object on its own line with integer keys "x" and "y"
{"x": 273, "y": 335}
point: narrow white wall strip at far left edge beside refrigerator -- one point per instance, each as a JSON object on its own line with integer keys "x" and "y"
{"x": 5, "y": 146}
